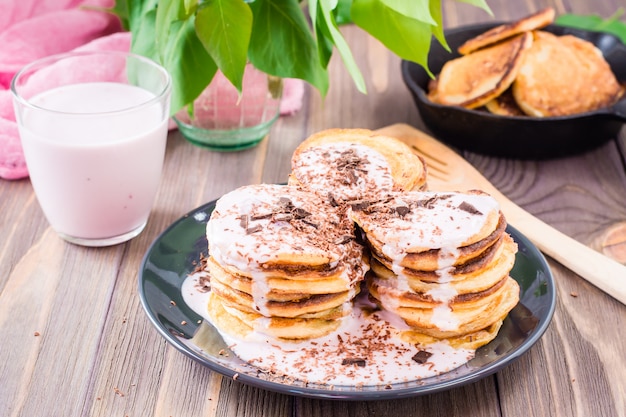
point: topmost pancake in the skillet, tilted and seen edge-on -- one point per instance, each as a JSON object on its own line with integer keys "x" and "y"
{"x": 499, "y": 33}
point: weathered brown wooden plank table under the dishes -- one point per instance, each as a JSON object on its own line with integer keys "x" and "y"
{"x": 75, "y": 341}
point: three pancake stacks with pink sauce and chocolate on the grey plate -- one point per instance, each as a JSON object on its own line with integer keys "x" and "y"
{"x": 286, "y": 260}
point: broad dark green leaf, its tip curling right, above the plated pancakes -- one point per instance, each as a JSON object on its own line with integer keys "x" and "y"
{"x": 281, "y": 43}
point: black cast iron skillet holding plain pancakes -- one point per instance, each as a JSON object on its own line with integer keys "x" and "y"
{"x": 516, "y": 136}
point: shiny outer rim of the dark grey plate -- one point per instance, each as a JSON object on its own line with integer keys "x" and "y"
{"x": 354, "y": 395}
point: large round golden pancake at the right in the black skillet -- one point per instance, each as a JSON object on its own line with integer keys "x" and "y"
{"x": 564, "y": 75}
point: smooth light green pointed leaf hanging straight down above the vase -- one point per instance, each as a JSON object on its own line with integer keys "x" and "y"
{"x": 224, "y": 28}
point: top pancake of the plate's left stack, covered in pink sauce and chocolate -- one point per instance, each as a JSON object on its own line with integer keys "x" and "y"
{"x": 274, "y": 228}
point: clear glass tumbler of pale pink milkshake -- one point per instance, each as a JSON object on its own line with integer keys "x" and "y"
{"x": 93, "y": 126}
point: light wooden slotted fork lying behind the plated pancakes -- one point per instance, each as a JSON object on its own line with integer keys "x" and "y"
{"x": 448, "y": 171}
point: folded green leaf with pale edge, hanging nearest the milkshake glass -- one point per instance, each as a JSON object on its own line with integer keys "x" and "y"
{"x": 189, "y": 64}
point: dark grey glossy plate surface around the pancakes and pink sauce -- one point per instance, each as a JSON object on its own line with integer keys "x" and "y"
{"x": 176, "y": 252}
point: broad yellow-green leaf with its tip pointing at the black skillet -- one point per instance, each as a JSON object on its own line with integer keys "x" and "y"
{"x": 406, "y": 37}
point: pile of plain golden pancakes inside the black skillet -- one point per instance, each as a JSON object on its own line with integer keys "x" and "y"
{"x": 516, "y": 69}
